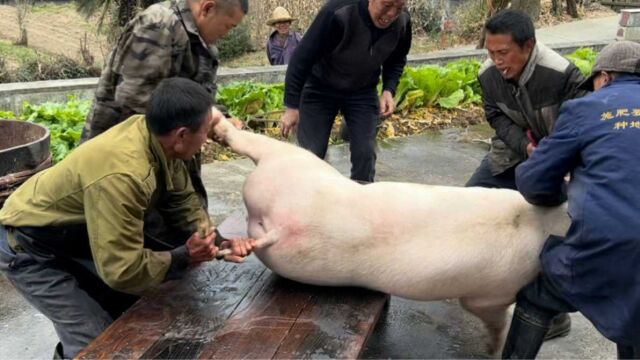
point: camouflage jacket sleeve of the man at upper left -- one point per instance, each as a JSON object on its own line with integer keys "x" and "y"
{"x": 143, "y": 58}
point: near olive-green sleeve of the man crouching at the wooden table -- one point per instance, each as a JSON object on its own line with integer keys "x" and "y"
{"x": 114, "y": 210}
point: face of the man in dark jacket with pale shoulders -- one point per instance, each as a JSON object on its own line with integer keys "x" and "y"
{"x": 509, "y": 57}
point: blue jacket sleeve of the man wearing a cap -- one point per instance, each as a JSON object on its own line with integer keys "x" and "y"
{"x": 540, "y": 179}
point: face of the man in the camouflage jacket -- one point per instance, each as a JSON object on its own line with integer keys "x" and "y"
{"x": 214, "y": 22}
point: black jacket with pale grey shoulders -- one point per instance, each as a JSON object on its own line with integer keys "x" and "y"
{"x": 533, "y": 103}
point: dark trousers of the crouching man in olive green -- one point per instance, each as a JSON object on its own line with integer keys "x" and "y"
{"x": 65, "y": 289}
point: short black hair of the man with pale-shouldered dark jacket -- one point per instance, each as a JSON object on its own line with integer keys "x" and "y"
{"x": 515, "y": 22}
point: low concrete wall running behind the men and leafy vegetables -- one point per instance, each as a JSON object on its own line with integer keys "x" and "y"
{"x": 13, "y": 95}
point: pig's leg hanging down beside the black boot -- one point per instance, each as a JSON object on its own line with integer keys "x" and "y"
{"x": 495, "y": 315}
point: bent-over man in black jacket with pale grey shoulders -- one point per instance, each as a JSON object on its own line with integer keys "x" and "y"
{"x": 524, "y": 83}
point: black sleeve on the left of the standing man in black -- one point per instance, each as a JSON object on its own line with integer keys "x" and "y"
{"x": 323, "y": 35}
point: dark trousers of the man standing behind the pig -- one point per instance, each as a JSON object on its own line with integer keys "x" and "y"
{"x": 318, "y": 109}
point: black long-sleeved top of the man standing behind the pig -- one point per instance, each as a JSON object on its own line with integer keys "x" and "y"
{"x": 343, "y": 50}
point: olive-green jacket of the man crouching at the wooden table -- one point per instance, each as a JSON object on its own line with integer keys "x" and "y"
{"x": 109, "y": 183}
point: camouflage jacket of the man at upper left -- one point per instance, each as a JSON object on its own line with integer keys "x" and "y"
{"x": 161, "y": 42}
